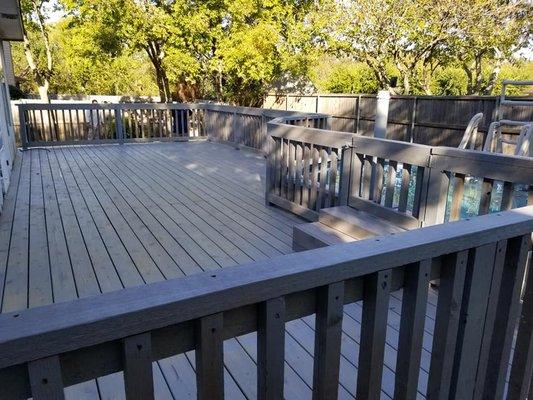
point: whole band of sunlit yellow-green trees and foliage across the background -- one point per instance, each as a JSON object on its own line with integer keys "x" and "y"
{"x": 235, "y": 51}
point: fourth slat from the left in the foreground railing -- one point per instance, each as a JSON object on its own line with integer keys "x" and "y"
{"x": 271, "y": 349}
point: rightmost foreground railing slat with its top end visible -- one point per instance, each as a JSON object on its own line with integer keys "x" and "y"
{"x": 507, "y": 314}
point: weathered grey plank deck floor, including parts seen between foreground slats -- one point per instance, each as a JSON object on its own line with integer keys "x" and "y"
{"x": 79, "y": 221}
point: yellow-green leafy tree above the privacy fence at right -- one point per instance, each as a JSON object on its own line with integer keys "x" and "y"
{"x": 419, "y": 37}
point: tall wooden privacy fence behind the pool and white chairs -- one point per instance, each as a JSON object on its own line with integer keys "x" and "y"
{"x": 431, "y": 120}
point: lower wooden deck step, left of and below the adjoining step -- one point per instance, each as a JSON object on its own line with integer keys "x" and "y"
{"x": 314, "y": 235}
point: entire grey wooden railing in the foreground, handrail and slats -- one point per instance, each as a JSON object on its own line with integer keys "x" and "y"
{"x": 481, "y": 264}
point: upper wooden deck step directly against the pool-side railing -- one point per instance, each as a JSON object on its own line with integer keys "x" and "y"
{"x": 355, "y": 223}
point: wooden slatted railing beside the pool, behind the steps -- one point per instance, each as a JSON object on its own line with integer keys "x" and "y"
{"x": 408, "y": 184}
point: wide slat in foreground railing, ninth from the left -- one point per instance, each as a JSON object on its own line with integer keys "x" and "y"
{"x": 480, "y": 267}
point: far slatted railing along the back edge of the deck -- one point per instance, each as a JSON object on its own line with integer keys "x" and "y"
{"x": 44, "y": 124}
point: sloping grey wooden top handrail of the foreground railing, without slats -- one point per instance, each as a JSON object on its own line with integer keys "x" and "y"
{"x": 48, "y": 330}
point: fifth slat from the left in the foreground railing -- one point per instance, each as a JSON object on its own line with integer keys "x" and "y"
{"x": 328, "y": 334}
